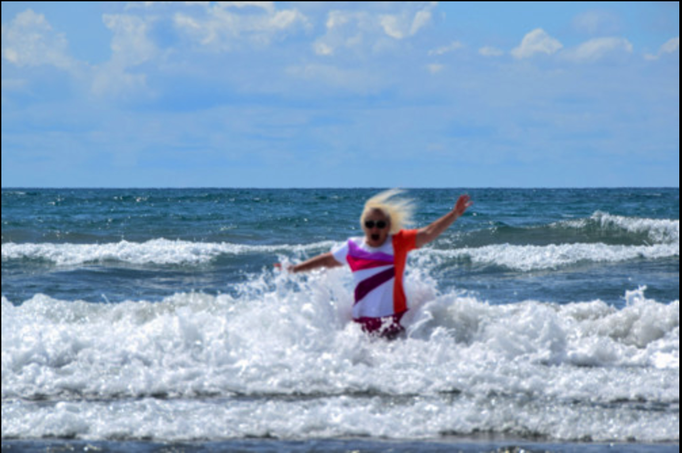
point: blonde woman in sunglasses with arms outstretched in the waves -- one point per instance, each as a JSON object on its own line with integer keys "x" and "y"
{"x": 377, "y": 260}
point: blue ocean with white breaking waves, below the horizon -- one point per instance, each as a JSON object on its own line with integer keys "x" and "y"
{"x": 154, "y": 320}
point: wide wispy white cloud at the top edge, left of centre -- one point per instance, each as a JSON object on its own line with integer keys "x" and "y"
{"x": 220, "y": 29}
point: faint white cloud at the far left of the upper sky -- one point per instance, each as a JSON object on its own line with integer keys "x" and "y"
{"x": 29, "y": 40}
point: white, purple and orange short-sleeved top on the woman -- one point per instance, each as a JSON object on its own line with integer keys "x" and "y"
{"x": 378, "y": 272}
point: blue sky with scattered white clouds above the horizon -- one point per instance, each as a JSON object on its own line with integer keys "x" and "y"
{"x": 316, "y": 94}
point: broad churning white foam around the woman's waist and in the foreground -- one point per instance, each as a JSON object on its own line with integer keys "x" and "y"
{"x": 282, "y": 359}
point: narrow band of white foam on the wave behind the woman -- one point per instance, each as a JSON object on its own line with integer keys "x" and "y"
{"x": 165, "y": 252}
